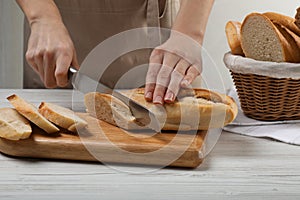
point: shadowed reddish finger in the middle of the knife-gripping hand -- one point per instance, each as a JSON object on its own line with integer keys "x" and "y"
{"x": 49, "y": 68}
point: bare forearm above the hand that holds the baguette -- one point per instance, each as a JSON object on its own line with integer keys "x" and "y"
{"x": 192, "y": 18}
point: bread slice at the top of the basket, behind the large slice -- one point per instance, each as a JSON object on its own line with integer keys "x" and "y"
{"x": 284, "y": 21}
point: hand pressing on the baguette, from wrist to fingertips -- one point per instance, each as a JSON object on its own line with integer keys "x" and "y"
{"x": 173, "y": 65}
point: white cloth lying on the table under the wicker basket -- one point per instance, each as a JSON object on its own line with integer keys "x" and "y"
{"x": 284, "y": 131}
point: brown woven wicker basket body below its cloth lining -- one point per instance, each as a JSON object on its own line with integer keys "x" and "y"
{"x": 267, "y": 98}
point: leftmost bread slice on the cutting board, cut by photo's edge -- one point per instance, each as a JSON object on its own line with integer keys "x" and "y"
{"x": 13, "y": 126}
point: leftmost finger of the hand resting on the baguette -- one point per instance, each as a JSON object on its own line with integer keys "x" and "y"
{"x": 155, "y": 64}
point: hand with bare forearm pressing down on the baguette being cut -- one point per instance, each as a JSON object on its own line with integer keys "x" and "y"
{"x": 177, "y": 62}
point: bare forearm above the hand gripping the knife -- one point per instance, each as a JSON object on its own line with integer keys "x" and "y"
{"x": 38, "y": 10}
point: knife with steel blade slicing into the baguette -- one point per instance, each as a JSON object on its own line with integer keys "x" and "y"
{"x": 85, "y": 84}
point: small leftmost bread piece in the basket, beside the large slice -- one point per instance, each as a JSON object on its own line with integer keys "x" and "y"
{"x": 232, "y": 30}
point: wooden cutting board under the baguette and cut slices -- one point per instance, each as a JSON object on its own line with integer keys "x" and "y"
{"x": 105, "y": 143}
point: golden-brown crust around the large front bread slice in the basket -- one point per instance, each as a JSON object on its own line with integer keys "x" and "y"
{"x": 288, "y": 48}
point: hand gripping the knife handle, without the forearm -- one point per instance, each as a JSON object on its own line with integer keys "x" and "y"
{"x": 51, "y": 52}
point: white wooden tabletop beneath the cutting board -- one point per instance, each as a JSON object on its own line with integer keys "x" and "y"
{"x": 239, "y": 167}
